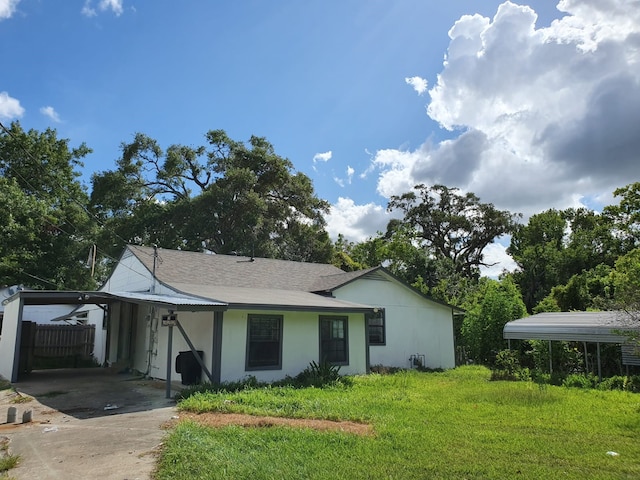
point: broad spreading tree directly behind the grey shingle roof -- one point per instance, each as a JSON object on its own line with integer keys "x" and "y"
{"x": 227, "y": 196}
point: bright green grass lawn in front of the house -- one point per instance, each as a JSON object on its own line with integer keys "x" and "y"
{"x": 450, "y": 425}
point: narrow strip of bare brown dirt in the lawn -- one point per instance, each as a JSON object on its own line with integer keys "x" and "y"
{"x": 217, "y": 420}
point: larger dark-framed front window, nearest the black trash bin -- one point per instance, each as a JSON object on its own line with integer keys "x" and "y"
{"x": 264, "y": 342}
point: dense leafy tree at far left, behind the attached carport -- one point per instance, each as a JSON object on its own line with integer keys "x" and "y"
{"x": 47, "y": 232}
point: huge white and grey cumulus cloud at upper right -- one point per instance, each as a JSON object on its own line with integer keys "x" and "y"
{"x": 539, "y": 117}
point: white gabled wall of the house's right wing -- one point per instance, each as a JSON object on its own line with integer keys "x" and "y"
{"x": 413, "y": 324}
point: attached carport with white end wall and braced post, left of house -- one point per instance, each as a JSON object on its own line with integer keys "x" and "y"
{"x": 10, "y": 337}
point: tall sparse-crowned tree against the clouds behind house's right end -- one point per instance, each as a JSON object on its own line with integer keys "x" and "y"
{"x": 453, "y": 226}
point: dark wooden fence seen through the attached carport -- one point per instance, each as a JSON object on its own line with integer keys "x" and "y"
{"x": 64, "y": 340}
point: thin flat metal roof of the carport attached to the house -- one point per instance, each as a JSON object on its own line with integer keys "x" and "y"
{"x": 56, "y": 297}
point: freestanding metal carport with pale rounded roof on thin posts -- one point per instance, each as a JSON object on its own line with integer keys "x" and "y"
{"x": 585, "y": 327}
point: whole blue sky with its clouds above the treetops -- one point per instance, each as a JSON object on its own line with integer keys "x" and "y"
{"x": 529, "y": 106}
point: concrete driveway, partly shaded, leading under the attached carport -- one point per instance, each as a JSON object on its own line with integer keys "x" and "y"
{"x": 86, "y": 423}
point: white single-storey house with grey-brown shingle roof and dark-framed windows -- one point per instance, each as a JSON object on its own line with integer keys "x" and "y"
{"x": 263, "y": 317}
